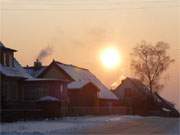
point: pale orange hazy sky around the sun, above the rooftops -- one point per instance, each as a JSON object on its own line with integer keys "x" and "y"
{"x": 77, "y": 31}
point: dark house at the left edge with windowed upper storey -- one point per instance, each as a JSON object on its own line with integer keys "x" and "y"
{"x": 12, "y": 76}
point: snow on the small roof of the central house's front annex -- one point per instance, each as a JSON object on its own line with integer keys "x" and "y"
{"x": 77, "y": 84}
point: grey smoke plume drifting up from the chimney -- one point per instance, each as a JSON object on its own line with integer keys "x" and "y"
{"x": 45, "y": 53}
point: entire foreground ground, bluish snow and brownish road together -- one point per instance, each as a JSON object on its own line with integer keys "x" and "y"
{"x": 109, "y": 125}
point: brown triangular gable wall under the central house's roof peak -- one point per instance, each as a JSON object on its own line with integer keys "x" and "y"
{"x": 55, "y": 73}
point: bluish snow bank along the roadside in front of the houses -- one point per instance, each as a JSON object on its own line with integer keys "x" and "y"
{"x": 59, "y": 125}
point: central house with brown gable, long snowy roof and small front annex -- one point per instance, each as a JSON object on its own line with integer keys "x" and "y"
{"x": 84, "y": 89}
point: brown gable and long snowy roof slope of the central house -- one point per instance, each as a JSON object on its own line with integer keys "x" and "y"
{"x": 62, "y": 71}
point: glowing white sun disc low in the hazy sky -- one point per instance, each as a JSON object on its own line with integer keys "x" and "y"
{"x": 110, "y": 57}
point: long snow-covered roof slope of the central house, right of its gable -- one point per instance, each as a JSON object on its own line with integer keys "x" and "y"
{"x": 80, "y": 74}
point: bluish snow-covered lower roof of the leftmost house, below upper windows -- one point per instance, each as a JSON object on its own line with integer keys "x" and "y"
{"x": 16, "y": 71}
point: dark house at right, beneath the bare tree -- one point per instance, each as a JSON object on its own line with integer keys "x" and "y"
{"x": 134, "y": 94}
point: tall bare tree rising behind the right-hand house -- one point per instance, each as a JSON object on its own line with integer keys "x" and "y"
{"x": 149, "y": 62}
